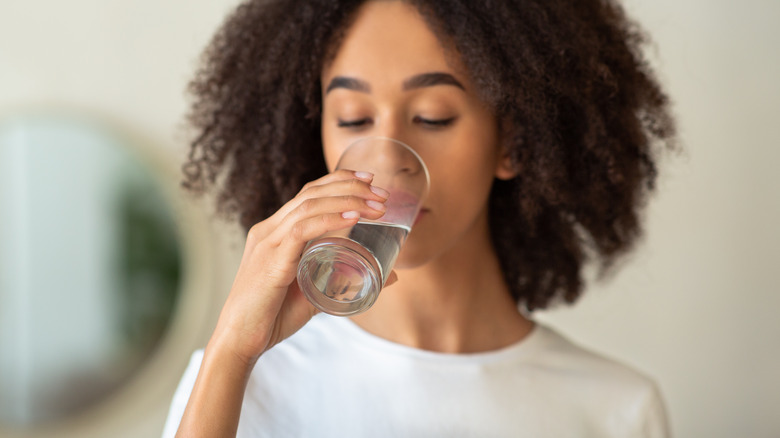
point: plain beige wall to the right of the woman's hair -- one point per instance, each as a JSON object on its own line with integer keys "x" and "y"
{"x": 697, "y": 306}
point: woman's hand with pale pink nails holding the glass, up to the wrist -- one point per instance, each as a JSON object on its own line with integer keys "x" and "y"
{"x": 265, "y": 304}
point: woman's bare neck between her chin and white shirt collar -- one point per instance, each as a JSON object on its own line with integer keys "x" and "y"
{"x": 457, "y": 303}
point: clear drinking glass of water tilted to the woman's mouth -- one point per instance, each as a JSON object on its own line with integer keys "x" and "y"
{"x": 342, "y": 272}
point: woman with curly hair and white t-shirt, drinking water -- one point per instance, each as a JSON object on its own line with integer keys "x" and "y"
{"x": 537, "y": 121}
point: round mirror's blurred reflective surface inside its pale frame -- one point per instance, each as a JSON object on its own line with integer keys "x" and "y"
{"x": 89, "y": 266}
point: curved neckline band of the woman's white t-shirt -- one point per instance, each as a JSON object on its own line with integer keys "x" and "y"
{"x": 523, "y": 348}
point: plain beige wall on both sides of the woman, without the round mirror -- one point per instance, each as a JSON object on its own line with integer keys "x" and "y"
{"x": 695, "y": 307}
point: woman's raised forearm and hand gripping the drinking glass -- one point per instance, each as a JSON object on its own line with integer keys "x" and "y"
{"x": 265, "y": 304}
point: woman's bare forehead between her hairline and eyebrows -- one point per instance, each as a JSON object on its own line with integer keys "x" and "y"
{"x": 389, "y": 41}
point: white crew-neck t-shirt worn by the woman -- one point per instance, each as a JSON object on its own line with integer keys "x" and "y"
{"x": 333, "y": 379}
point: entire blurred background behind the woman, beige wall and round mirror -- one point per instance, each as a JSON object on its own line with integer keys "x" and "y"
{"x": 110, "y": 277}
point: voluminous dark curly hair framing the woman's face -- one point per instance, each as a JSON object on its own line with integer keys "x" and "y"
{"x": 585, "y": 121}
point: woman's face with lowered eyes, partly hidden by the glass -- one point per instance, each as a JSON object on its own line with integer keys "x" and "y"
{"x": 392, "y": 77}
